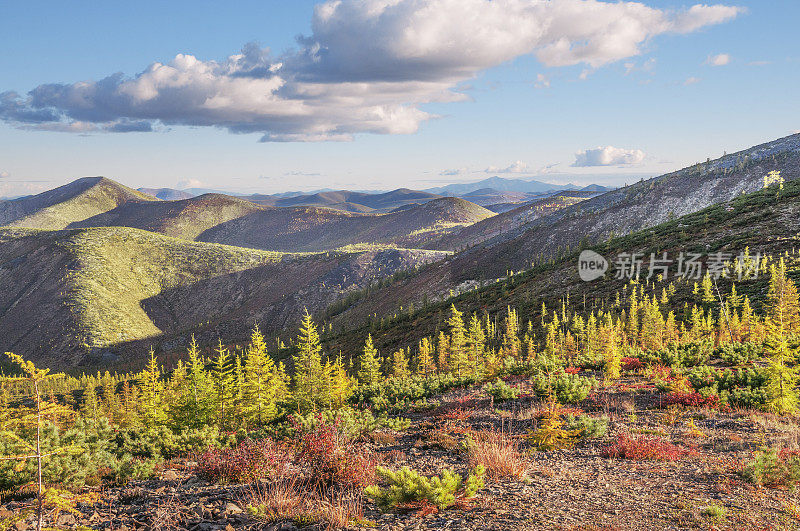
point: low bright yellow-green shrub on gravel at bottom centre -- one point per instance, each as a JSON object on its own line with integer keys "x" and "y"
{"x": 409, "y": 486}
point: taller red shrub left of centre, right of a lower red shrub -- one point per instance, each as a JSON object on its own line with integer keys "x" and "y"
{"x": 331, "y": 460}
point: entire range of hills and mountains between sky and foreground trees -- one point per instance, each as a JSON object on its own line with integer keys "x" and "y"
{"x": 94, "y": 272}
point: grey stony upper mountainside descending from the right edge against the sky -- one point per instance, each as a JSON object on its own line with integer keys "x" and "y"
{"x": 615, "y": 213}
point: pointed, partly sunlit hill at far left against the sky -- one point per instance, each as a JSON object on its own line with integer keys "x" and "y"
{"x": 76, "y": 201}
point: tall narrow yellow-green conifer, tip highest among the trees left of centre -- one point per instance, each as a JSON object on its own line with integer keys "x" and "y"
{"x": 309, "y": 373}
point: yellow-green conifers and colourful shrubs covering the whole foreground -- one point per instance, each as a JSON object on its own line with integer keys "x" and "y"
{"x": 670, "y": 378}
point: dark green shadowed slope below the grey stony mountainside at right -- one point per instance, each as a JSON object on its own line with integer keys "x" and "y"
{"x": 761, "y": 221}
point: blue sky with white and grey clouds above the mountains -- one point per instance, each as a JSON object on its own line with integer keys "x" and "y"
{"x": 275, "y": 95}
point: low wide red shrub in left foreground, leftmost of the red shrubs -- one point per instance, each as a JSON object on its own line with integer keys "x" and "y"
{"x": 249, "y": 461}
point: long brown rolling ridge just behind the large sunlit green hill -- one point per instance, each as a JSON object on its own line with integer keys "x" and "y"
{"x": 230, "y": 220}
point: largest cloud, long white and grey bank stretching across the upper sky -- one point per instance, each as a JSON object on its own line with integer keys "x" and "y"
{"x": 366, "y": 67}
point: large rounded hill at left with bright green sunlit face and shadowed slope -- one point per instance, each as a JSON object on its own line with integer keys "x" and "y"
{"x": 70, "y": 294}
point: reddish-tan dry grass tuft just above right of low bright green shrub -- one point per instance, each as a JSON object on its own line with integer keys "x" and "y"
{"x": 499, "y": 453}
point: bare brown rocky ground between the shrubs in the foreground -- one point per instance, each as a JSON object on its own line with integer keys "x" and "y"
{"x": 574, "y": 489}
